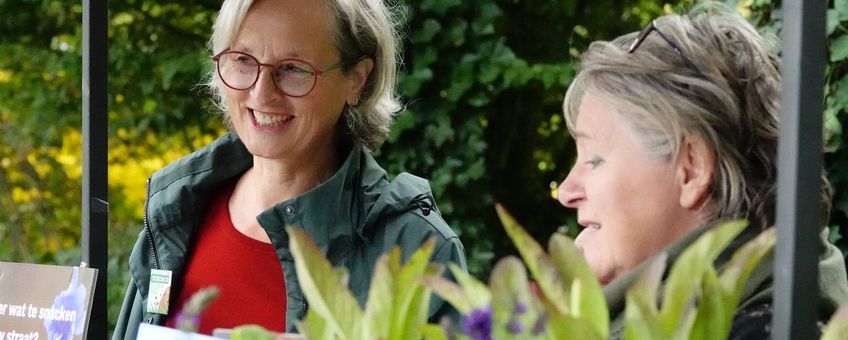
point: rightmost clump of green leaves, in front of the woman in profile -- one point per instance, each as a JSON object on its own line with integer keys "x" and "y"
{"x": 698, "y": 303}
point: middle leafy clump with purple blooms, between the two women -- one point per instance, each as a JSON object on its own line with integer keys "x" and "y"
{"x": 568, "y": 303}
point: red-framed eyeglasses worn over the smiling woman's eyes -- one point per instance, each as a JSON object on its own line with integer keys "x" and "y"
{"x": 293, "y": 77}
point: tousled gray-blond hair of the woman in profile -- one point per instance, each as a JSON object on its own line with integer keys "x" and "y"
{"x": 731, "y": 100}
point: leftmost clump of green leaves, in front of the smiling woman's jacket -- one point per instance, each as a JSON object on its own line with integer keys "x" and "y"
{"x": 397, "y": 303}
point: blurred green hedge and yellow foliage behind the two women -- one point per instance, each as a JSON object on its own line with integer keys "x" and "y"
{"x": 482, "y": 81}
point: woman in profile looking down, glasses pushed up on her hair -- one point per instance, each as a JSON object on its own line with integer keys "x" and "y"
{"x": 676, "y": 127}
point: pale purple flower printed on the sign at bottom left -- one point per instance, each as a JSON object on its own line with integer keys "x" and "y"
{"x": 66, "y": 317}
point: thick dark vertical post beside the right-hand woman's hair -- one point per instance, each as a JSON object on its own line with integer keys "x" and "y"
{"x": 798, "y": 183}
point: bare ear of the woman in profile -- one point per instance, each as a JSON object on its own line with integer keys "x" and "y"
{"x": 695, "y": 167}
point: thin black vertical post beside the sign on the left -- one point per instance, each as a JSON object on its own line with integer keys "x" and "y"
{"x": 95, "y": 207}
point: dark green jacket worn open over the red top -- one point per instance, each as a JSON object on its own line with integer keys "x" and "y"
{"x": 354, "y": 217}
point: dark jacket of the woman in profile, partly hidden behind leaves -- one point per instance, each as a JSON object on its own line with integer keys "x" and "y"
{"x": 759, "y": 290}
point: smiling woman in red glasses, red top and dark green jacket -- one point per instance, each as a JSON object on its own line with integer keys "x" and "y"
{"x": 308, "y": 89}
